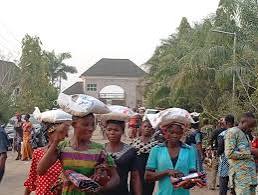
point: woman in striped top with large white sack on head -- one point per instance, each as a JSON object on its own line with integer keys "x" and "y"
{"x": 78, "y": 155}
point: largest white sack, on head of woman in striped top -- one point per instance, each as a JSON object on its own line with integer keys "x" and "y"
{"x": 81, "y": 105}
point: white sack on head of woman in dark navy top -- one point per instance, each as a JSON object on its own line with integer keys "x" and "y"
{"x": 118, "y": 113}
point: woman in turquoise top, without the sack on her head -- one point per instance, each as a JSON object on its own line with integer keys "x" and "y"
{"x": 173, "y": 158}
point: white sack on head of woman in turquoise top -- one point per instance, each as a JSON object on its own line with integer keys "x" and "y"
{"x": 165, "y": 117}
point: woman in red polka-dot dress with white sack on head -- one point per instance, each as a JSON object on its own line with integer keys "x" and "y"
{"x": 42, "y": 184}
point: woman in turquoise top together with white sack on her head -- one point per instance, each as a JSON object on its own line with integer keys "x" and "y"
{"x": 173, "y": 159}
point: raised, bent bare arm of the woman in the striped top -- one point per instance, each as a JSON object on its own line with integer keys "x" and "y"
{"x": 48, "y": 159}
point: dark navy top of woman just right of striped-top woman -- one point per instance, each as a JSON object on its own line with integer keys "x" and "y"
{"x": 125, "y": 162}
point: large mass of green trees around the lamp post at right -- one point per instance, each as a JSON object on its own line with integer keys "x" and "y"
{"x": 194, "y": 67}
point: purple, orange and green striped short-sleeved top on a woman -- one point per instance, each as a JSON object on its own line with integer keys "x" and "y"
{"x": 83, "y": 162}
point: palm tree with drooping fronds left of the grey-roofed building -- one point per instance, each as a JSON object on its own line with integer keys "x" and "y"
{"x": 57, "y": 68}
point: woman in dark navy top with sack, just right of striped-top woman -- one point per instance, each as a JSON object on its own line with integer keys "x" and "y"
{"x": 123, "y": 154}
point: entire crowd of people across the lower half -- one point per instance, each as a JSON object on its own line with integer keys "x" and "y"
{"x": 133, "y": 167}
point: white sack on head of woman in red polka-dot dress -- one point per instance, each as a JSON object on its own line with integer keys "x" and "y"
{"x": 52, "y": 116}
